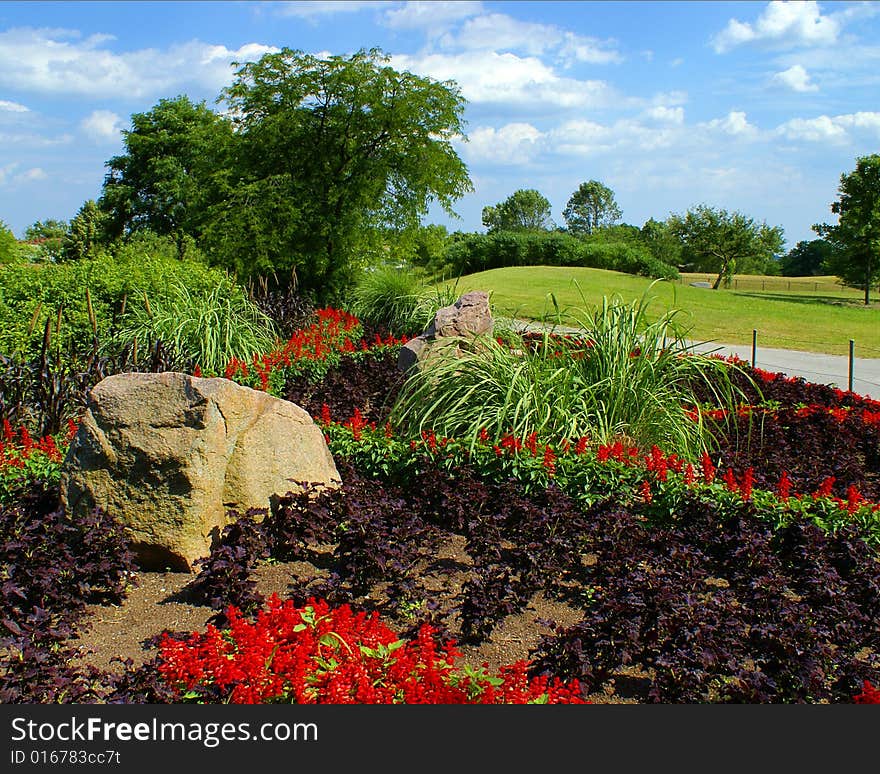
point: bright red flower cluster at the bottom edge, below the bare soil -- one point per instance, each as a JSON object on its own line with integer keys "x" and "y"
{"x": 321, "y": 655}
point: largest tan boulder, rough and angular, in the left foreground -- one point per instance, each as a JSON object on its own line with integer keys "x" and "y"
{"x": 169, "y": 454}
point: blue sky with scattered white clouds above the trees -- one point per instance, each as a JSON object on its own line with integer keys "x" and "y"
{"x": 749, "y": 106}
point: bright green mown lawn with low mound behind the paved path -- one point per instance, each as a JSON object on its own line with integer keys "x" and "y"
{"x": 802, "y": 318}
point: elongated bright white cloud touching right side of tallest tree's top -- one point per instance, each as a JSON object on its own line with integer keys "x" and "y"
{"x": 490, "y": 77}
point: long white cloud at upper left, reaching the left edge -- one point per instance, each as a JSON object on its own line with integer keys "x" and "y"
{"x": 62, "y": 62}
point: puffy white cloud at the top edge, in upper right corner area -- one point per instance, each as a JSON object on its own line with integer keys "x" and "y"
{"x": 785, "y": 23}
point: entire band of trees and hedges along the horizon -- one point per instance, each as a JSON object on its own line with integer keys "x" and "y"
{"x": 320, "y": 167}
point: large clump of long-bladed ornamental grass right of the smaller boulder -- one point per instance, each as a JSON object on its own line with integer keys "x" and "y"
{"x": 627, "y": 381}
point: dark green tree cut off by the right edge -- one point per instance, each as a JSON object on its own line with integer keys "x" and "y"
{"x": 856, "y": 237}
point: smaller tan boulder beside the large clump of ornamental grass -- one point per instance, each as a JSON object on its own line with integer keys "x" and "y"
{"x": 467, "y": 318}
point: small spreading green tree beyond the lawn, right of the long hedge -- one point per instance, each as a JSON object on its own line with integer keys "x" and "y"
{"x": 715, "y": 240}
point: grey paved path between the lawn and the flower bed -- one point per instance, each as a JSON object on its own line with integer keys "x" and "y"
{"x": 812, "y": 366}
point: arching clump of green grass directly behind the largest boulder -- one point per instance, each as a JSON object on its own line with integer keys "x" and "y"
{"x": 209, "y": 326}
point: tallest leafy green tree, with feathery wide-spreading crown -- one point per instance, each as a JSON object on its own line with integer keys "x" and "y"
{"x": 328, "y": 151}
